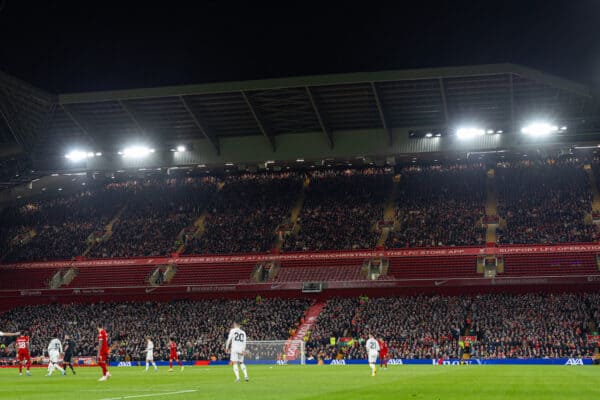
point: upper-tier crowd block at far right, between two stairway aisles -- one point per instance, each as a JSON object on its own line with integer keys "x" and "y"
{"x": 544, "y": 202}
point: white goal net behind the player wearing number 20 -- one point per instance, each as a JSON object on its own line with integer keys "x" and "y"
{"x": 276, "y": 351}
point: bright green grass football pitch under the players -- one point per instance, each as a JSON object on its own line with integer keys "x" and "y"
{"x": 310, "y": 382}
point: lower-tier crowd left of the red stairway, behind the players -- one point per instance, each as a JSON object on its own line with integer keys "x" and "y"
{"x": 199, "y": 328}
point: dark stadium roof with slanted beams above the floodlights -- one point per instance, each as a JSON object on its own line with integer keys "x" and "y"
{"x": 419, "y": 98}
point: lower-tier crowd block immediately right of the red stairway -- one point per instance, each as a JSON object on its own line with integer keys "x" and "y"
{"x": 413, "y": 327}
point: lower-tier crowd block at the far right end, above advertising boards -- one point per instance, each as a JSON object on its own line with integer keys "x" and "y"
{"x": 534, "y": 325}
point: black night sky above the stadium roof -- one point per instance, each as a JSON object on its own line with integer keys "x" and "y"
{"x": 67, "y": 46}
